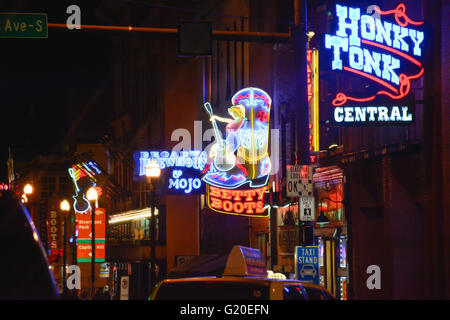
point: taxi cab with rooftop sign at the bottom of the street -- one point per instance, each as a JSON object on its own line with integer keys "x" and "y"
{"x": 245, "y": 278}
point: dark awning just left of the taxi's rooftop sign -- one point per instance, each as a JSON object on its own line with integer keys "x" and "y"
{"x": 200, "y": 266}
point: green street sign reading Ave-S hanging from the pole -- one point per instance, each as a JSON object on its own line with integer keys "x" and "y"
{"x": 23, "y": 25}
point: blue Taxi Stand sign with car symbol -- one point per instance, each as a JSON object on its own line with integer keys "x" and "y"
{"x": 307, "y": 264}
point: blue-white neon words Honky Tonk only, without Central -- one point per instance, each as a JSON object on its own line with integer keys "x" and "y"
{"x": 347, "y": 41}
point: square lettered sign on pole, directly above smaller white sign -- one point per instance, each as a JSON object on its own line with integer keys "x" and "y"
{"x": 299, "y": 181}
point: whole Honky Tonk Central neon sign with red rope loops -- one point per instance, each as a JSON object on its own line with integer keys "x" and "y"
{"x": 381, "y": 51}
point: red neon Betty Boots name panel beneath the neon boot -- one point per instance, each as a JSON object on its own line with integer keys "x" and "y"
{"x": 248, "y": 202}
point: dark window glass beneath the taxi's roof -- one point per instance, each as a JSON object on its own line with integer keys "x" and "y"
{"x": 212, "y": 290}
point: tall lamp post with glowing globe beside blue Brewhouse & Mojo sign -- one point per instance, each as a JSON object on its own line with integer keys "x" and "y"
{"x": 152, "y": 172}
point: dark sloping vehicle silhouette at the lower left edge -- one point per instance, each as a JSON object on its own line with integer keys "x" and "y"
{"x": 24, "y": 268}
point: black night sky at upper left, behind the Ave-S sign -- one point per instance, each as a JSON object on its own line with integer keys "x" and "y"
{"x": 39, "y": 76}
